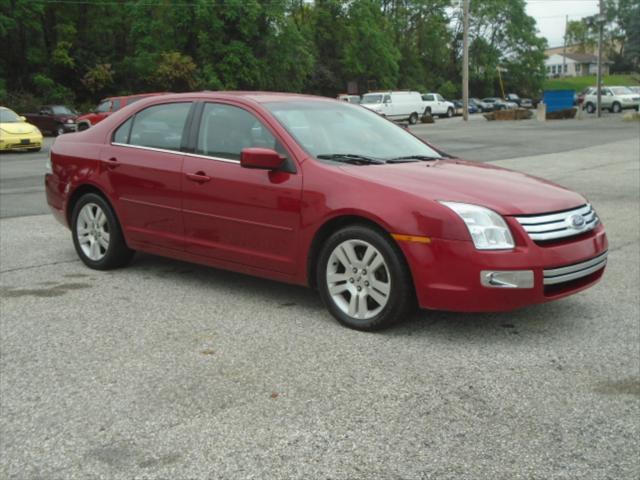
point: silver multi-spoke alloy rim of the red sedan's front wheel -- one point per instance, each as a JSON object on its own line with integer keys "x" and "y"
{"x": 358, "y": 279}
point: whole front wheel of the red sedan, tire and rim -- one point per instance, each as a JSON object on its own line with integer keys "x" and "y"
{"x": 363, "y": 279}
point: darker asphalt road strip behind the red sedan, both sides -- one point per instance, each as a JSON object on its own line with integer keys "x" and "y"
{"x": 22, "y": 190}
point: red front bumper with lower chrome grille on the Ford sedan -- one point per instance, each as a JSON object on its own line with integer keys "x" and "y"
{"x": 448, "y": 273}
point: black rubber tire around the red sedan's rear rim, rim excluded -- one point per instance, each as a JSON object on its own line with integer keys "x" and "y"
{"x": 117, "y": 247}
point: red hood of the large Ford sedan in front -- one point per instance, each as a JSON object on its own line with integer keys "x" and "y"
{"x": 504, "y": 191}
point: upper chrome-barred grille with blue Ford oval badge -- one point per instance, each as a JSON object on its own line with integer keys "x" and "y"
{"x": 558, "y": 225}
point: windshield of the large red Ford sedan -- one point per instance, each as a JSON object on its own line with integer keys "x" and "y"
{"x": 326, "y": 128}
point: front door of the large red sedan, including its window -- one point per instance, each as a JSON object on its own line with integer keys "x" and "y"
{"x": 240, "y": 215}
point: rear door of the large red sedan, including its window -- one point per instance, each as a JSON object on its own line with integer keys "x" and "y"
{"x": 143, "y": 163}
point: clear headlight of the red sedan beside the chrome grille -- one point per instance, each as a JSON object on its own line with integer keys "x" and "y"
{"x": 488, "y": 230}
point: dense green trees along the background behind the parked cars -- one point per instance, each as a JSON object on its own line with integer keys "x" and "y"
{"x": 78, "y": 51}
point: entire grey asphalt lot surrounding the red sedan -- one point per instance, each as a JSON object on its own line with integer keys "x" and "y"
{"x": 167, "y": 370}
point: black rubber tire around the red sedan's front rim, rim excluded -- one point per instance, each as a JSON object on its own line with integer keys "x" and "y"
{"x": 398, "y": 301}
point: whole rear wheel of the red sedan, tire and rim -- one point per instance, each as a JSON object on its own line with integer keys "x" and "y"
{"x": 97, "y": 236}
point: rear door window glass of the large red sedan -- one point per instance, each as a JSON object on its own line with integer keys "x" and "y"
{"x": 160, "y": 126}
